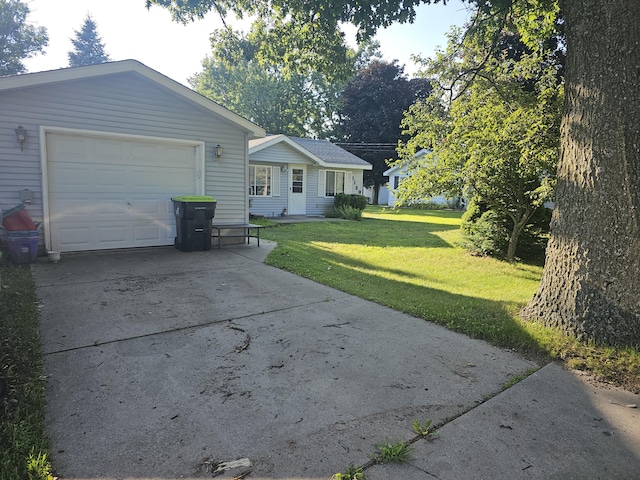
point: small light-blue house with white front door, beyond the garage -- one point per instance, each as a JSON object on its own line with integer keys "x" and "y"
{"x": 298, "y": 176}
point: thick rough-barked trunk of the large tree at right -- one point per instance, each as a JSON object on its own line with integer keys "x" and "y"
{"x": 591, "y": 282}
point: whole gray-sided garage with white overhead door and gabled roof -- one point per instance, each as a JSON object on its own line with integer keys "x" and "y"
{"x": 106, "y": 148}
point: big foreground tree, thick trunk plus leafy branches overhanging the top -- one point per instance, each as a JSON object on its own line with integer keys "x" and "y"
{"x": 592, "y": 270}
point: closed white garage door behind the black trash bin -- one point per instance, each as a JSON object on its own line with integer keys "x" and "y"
{"x": 115, "y": 193}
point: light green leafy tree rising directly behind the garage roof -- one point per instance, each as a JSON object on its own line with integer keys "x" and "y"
{"x": 291, "y": 103}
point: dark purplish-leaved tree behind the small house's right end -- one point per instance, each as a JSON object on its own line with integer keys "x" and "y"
{"x": 372, "y": 108}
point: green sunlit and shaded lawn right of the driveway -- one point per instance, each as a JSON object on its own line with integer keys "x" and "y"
{"x": 412, "y": 261}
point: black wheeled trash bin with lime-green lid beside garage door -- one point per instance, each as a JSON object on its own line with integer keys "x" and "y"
{"x": 193, "y": 222}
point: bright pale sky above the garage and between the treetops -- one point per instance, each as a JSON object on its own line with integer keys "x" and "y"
{"x": 129, "y": 30}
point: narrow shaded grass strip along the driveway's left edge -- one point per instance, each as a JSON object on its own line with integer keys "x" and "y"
{"x": 23, "y": 444}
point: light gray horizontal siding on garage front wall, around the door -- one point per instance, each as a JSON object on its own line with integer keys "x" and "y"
{"x": 122, "y": 103}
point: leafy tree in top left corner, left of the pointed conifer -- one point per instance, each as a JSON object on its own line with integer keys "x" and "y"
{"x": 18, "y": 39}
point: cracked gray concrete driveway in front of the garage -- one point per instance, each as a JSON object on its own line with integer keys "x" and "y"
{"x": 165, "y": 364}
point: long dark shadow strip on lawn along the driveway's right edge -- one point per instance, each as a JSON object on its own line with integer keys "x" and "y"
{"x": 479, "y": 318}
